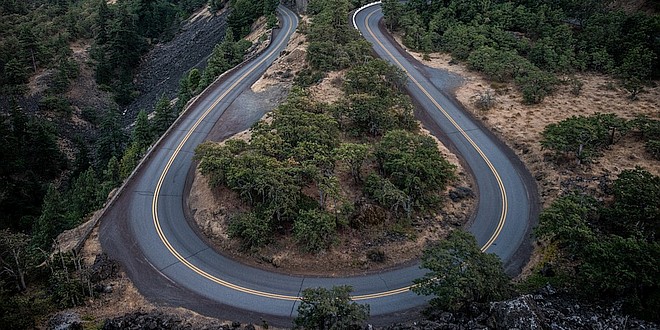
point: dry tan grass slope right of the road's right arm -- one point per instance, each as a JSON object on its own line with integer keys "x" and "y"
{"x": 520, "y": 125}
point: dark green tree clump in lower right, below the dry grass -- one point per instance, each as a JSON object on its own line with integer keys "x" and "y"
{"x": 610, "y": 250}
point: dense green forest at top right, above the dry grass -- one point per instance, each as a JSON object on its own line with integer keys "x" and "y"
{"x": 532, "y": 43}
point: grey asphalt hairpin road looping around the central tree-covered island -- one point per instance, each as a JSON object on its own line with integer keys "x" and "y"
{"x": 146, "y": 229}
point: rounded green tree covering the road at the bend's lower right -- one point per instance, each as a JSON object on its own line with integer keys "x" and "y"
{"x": 460, "y": 274}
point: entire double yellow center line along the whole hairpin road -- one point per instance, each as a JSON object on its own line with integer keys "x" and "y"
{"x": 201, "y": 272}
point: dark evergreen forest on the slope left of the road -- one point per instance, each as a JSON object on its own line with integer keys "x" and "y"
{"x": 53, "y": 176}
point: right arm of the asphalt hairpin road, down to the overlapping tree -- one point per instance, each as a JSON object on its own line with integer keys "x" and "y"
{"x": 508, "y": 203}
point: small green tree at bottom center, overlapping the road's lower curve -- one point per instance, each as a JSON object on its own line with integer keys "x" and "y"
{"x": 330, "y": 310}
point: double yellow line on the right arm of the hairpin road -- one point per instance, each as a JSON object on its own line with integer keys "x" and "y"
{"x": 503, "y": 195}
